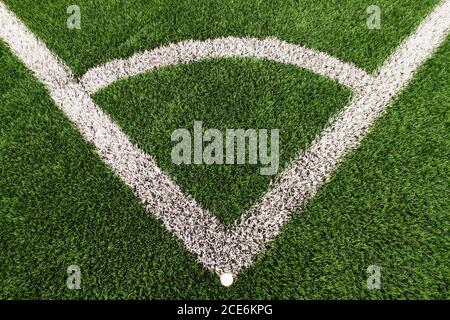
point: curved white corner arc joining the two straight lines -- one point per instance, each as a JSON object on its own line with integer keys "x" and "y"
{"x": 192, "y": 50}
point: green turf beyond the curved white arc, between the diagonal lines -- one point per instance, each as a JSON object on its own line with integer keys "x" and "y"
{"x": 111, "y": 29}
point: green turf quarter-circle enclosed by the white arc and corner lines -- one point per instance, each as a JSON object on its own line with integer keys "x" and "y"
{"x": 223, "y": 94}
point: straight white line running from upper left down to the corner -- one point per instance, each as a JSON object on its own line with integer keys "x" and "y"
{"x": 199, "y": 230}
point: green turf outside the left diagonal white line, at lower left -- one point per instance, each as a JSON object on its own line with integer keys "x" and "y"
{"x": 61, "y": 205}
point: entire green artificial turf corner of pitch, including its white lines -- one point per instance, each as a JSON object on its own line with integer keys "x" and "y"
{"x": 87, "y": 179}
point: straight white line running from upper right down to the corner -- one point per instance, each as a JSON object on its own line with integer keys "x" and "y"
{"x": 314, "y": 166}
